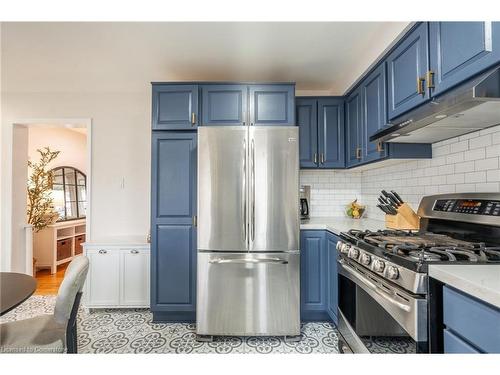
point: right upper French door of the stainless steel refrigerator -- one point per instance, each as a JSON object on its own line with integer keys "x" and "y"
{"x": 273, "y": 188}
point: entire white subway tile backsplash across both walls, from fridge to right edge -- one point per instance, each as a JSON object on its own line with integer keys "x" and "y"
{"x": 469, "y": 163}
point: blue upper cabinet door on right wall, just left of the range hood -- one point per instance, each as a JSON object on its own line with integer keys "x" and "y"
{"x": 374, "y": 116}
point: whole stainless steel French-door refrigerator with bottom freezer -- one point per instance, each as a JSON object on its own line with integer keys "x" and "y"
{"x": 248, "y": 231}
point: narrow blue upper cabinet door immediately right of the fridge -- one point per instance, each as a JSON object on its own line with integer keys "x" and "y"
{"x": 306, "y": 115}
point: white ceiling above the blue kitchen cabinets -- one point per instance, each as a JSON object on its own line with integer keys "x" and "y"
{"x": 86, "y": 57}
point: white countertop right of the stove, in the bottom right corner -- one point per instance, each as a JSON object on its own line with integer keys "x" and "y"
{"x": 480, "y": 281}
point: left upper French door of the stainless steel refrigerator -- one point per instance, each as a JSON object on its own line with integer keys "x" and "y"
{"x": 222, "y": 188}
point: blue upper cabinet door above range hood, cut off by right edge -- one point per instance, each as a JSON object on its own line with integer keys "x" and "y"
{"x": 459, "y": 50}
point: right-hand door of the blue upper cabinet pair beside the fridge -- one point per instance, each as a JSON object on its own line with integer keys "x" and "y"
{"x": 331, "y": 133}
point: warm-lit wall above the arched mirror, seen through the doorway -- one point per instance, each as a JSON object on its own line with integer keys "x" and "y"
{"x": 71, "y": 144}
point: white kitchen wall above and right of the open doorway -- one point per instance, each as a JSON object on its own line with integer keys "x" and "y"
{"x": 121, "y": 136}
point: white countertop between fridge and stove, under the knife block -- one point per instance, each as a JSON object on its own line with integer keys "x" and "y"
{"x": 341, "y": 224}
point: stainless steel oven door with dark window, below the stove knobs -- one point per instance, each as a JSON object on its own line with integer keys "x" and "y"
{"x": 377, "y": 316}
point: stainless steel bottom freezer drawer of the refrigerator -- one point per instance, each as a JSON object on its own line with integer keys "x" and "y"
{"x": 248, "y": 294}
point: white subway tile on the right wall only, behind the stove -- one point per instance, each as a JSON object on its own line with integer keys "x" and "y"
{"x": 469, "y": 163}
